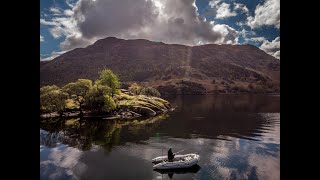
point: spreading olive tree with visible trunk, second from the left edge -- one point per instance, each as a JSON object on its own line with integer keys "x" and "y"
{"x": 80, "y": 89}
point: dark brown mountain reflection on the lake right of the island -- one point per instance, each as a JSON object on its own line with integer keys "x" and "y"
{"x": 228, "y": 115}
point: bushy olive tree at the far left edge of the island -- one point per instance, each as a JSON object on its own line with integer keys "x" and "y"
{"x": 52, "y": 99}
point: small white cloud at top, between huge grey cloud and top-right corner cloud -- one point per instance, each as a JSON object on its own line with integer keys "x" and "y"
{"x": 222, "y": 9}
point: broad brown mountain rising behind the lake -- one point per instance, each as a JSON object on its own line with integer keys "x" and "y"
{"x": 171, "y": 68}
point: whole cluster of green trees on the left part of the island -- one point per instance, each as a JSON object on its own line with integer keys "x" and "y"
{"x": 96, "y": 98}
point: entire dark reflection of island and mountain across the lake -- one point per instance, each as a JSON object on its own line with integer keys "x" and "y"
{"x": 202, "y": 116}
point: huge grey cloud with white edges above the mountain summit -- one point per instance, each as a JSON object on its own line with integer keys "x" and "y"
{"x": 158, "y": 20}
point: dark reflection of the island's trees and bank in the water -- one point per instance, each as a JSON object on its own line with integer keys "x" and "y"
{"x": 83, "y": 133}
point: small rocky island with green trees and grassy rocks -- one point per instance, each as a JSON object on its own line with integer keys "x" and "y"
{"x": 101, "y": 98}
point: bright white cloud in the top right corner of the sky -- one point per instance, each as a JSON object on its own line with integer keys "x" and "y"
{"x": 267, "y": 14}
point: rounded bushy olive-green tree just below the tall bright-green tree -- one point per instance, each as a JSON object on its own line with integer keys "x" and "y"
{"x": 98, "y": 100}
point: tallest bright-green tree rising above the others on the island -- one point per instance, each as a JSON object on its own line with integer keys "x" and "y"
{"x": 108, "y": 78}
